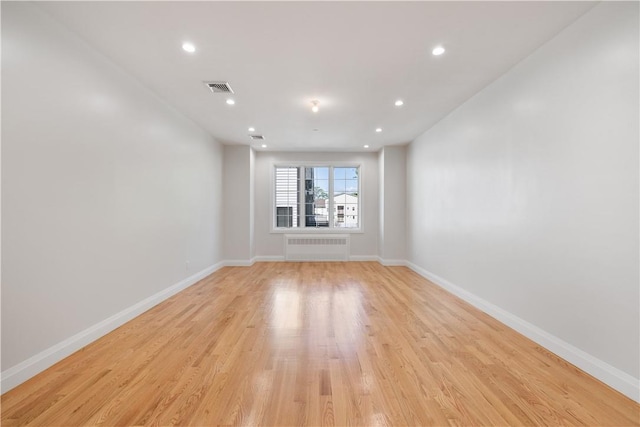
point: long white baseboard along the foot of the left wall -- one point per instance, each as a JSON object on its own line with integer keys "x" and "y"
{"x": 21, "y": 372}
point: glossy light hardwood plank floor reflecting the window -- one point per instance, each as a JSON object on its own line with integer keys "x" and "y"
{"x": 315, "y": 344}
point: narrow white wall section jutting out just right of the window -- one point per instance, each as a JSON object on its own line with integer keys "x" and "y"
{"x": 392, "y": 167}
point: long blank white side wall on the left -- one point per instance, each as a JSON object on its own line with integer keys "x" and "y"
{"x": 107, "y": 192}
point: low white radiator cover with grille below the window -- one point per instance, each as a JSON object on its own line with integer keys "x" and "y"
{"x": 316, "y": 247}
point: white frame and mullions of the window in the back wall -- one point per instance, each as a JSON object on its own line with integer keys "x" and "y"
{"x": 319, "y": 230}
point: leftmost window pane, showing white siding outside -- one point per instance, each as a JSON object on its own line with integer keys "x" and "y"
{"x": 287, "y": 196}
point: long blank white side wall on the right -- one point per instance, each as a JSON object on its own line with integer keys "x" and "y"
{"x": 526, "y": 196}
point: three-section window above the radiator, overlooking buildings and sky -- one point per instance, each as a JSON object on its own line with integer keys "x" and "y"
{"x": 317, "y": 197}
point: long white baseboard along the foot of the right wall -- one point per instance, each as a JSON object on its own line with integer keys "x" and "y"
{"x": 614, "y": 377}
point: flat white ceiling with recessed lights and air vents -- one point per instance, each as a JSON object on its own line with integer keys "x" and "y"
{"x": 356, "y": 58}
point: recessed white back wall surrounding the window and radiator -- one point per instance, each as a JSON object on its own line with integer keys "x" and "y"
{"x": 270, "y": 245}
